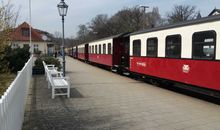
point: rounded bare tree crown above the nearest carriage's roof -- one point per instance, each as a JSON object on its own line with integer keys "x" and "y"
{"x": 182, "y": 13}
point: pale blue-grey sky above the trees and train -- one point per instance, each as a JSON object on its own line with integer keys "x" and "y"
{"x": 45, "y": 14}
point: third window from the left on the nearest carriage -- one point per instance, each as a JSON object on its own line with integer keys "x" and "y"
{"x": 173, "y": 46}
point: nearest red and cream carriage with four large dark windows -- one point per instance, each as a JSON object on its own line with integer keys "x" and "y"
{"x": 187, "y": 53}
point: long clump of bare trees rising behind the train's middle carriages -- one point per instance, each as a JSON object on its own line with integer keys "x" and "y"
{"x": 125, "y": 20}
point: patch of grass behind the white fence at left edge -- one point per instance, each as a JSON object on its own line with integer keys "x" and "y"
{"x": 5, "y": 81}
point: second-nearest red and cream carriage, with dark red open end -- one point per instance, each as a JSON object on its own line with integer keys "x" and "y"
{"x": 107, "y": 52}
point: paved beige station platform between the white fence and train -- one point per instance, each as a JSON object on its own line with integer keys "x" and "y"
{"x": 102, "y": 100}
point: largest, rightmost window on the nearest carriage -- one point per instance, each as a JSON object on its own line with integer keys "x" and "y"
{"x": 203, "y": 45}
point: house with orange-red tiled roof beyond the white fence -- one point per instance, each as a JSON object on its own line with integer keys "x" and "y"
{"x": 41, "y": 40}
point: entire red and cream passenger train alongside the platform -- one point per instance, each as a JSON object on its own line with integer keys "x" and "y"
{"x": 186, "y": 53}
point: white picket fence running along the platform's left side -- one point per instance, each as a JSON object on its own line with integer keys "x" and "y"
{"x": 12, "y": 103}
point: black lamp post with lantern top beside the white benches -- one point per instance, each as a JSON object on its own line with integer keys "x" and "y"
{"x": 62, "y": 8}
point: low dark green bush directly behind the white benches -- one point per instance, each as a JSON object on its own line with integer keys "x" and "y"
{"x": 39, "y": 68}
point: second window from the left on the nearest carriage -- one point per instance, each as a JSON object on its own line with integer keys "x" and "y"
{"x": 152, "y": 45}
